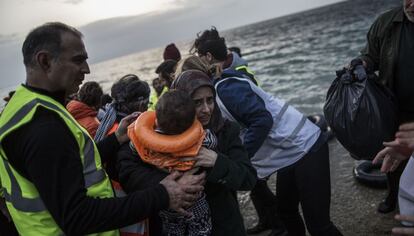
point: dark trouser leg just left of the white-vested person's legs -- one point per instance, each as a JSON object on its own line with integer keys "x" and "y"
{"x": 265, "y": 203}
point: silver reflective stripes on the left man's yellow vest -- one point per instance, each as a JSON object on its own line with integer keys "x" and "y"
{"x": 91, "y": 174}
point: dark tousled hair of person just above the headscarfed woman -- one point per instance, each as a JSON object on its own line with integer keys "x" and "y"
{"x": 210, "y": 41}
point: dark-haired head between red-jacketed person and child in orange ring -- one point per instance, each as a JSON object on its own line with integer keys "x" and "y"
{"x": 130, "y": 94}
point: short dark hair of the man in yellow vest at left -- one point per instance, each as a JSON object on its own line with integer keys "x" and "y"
{"x": 45, "y": 37}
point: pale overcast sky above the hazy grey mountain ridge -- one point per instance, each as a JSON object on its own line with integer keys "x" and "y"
{"x": 19, "y": 16}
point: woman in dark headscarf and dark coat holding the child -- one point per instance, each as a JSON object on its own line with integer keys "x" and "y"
{"x": 226, "y": 161}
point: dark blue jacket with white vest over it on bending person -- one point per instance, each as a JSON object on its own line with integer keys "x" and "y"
{"x": 275, "y": 134}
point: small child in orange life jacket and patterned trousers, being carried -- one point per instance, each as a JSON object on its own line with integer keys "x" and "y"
{"x": 168, "y": 139}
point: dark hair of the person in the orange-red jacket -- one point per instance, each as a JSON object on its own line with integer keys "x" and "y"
{"x": 90, "y": 93}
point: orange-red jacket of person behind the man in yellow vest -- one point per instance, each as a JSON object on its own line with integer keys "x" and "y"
{"x": 85, "y": 115}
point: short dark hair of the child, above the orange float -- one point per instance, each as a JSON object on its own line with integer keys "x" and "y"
{"x": 175, "y": 112}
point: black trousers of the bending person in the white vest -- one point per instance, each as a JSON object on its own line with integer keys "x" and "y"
{"x": 307, "y": 182}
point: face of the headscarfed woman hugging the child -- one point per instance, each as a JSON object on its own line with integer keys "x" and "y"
{"x": 204, "y": 101}
